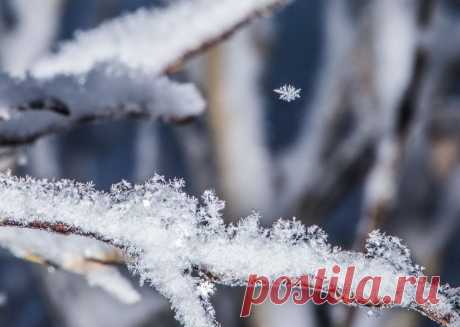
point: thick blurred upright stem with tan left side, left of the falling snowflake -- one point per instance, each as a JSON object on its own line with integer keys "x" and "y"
{"x": 236, "y": 122}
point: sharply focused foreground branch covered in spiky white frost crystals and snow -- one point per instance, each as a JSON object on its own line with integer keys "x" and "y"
{"x": 176, "y": 242}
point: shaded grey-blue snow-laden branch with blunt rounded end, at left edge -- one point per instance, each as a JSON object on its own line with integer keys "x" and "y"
{"x": 33, "y": 107}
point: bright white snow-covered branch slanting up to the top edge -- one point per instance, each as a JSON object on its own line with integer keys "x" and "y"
{"x": 155, "y": 40}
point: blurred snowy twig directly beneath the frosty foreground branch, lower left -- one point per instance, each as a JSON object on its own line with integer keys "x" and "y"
{"x": 98, "y": 263}
